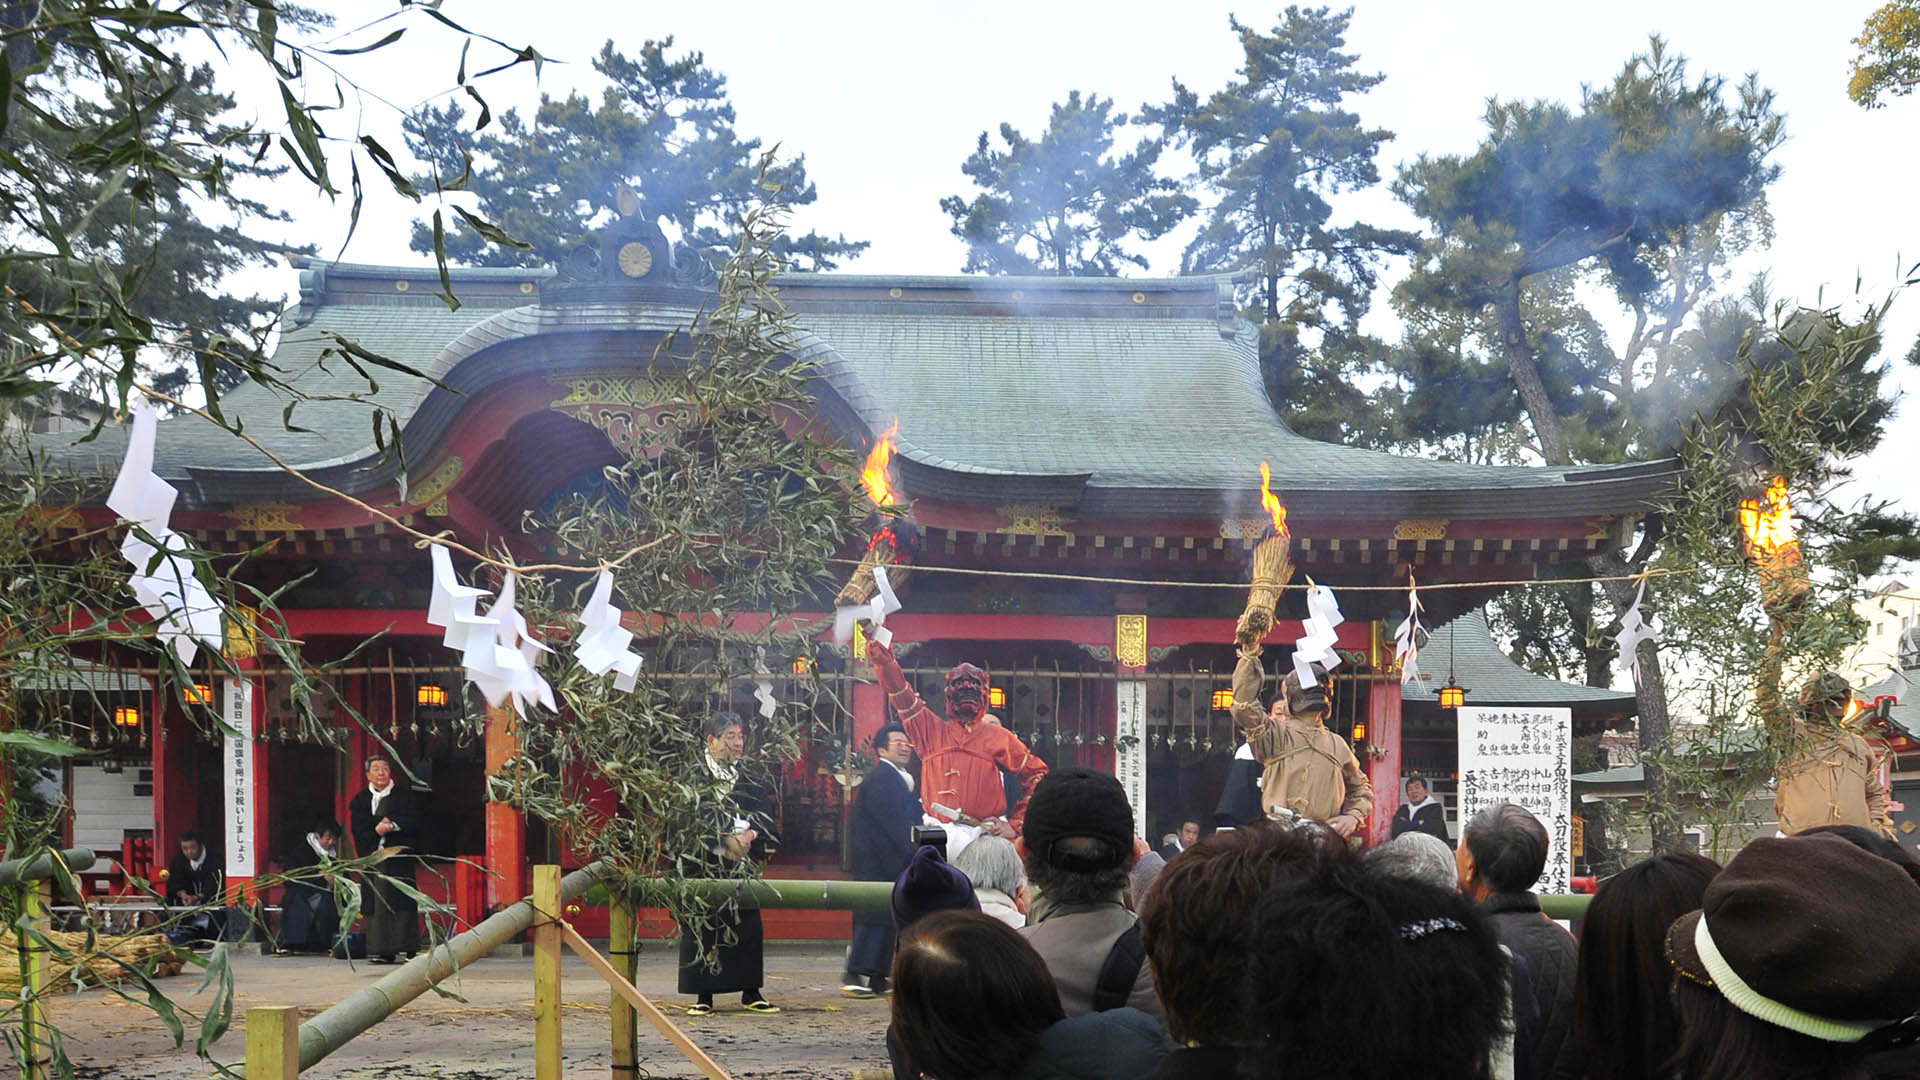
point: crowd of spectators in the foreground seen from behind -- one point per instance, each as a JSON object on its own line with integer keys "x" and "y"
{"x": 1282, "y": 952}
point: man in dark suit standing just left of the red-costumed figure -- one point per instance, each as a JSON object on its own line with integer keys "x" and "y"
{"x": 884, "y": 810}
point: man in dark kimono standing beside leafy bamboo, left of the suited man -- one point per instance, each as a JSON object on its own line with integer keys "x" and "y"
{"x": 725, "y": 954}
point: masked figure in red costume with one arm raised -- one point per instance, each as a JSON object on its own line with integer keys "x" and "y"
{"x": 963, "y": 756}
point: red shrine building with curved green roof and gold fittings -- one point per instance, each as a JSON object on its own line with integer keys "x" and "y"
{"x": 1105, "y": 431}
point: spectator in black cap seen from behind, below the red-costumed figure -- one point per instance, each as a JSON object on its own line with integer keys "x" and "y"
{"x": 1078, "y": 850}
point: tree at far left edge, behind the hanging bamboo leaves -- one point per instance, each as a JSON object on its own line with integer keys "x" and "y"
{"x": 172, "y": 222}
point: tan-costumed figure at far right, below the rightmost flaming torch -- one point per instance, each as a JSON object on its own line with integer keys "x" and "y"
{"x": 1829, "y": 773}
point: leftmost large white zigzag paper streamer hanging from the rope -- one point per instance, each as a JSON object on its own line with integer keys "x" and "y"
{"x": 164, "y": 581}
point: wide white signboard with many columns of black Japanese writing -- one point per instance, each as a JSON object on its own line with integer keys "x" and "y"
{"x": 1522, "y": 756}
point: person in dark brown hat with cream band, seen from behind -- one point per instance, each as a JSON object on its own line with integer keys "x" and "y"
{"x": 1802, "y": 962}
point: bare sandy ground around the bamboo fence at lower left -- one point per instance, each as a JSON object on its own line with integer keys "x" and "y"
{"x": 491, "y": 1033}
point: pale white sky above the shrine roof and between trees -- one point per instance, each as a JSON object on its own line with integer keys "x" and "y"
{"x": 888, "y": 99}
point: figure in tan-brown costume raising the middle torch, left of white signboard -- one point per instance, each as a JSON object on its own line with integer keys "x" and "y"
{"x": 1307, "y": 770}
